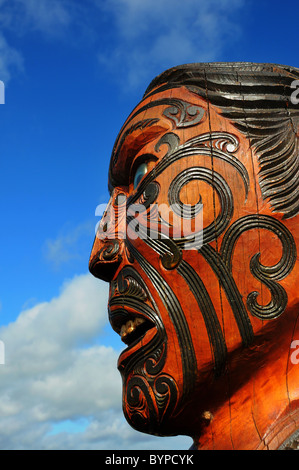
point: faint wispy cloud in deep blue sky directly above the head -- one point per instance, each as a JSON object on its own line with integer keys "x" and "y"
{"x": 149, "y": 37}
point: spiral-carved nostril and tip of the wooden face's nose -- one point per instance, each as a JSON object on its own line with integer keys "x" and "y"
{"x": 105, "y": 258}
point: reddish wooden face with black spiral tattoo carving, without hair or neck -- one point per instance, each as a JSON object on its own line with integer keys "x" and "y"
{"x": 197, "y": 261}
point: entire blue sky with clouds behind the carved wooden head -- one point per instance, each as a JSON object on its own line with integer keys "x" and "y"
{"x": 73, "y": 70}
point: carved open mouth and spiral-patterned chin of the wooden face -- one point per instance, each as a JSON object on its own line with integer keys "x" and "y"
{"x": 149, "y": 393}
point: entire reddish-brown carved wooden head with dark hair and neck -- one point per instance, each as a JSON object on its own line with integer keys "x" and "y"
{"x": 199, "y": 243}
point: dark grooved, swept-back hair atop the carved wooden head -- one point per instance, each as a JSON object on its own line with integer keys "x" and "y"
{"x": 256, "y": 99}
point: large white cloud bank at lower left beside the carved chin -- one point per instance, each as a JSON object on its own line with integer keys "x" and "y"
{"x": 57, "y": 370}
